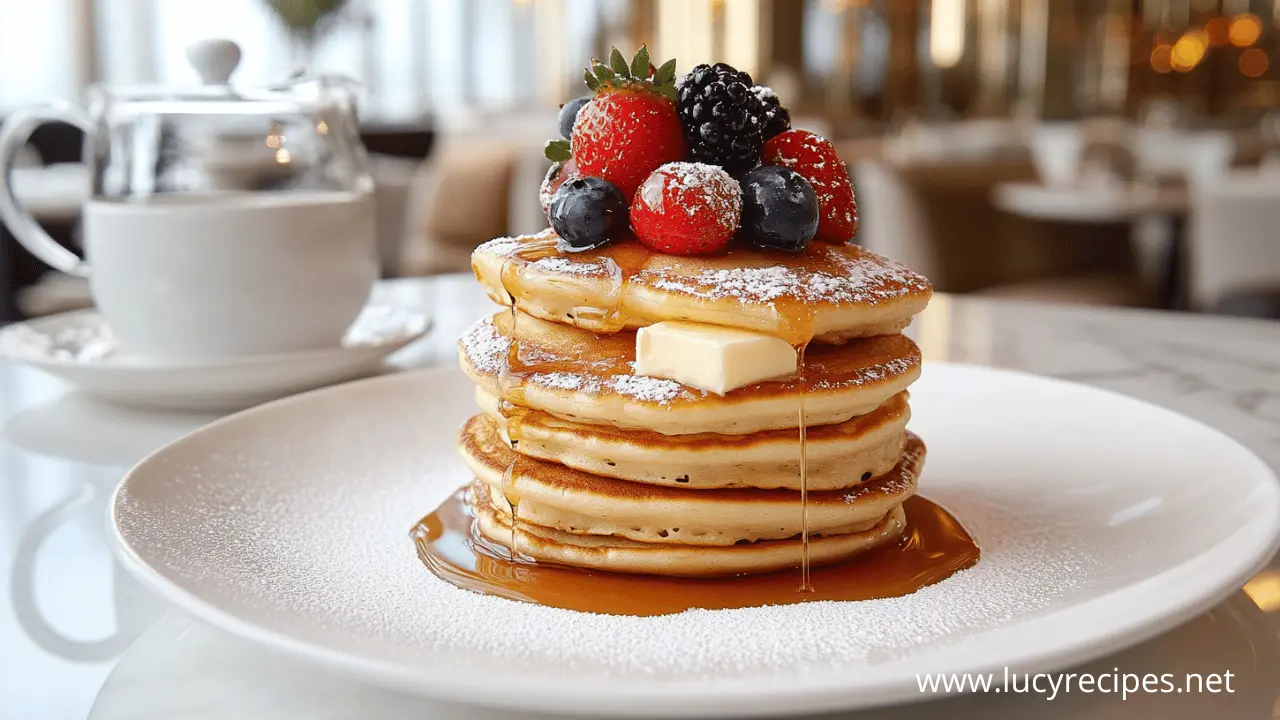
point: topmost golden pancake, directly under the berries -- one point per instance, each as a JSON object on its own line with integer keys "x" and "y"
{"x": 828, "y": 291}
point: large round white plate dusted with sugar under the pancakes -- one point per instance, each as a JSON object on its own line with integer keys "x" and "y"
{"x": 1103, "y": 521}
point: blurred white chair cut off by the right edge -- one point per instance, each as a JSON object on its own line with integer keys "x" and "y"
{"x": 1233, "y": 243}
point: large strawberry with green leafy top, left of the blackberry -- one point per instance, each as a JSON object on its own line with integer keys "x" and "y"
{"x": 630, "y": 127}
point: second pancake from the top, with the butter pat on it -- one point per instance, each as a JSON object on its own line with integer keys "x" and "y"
{"x": 587, "y": 379}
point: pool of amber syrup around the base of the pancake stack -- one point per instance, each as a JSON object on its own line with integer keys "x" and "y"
{"x": 932, "y": 549}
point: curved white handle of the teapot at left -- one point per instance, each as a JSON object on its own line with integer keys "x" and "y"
{"x": 13, "y": 135}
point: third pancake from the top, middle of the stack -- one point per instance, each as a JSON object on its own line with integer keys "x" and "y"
{"x": 839, "y": 455}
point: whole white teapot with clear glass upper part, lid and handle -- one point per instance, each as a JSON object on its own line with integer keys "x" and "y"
{"x": 184, "y": 267}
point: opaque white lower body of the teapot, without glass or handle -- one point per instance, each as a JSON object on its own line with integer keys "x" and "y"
{"x": 223, "y": 276}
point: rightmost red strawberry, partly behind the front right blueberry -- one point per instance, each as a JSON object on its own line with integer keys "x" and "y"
{"x": 815, "y": 158}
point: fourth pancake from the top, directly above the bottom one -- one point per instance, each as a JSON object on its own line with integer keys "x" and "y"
{"x": 578, "y": 503}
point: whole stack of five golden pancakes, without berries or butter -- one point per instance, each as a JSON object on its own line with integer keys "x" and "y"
{"x": 609, "y": 470}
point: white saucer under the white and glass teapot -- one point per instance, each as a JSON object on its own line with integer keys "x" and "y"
{"x": 80, "y": 349}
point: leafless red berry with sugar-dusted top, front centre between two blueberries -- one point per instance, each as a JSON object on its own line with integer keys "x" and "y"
{"x": 687, "y": 209}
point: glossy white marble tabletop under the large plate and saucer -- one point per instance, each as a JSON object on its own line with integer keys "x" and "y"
{"x": 79, "y": 637}
